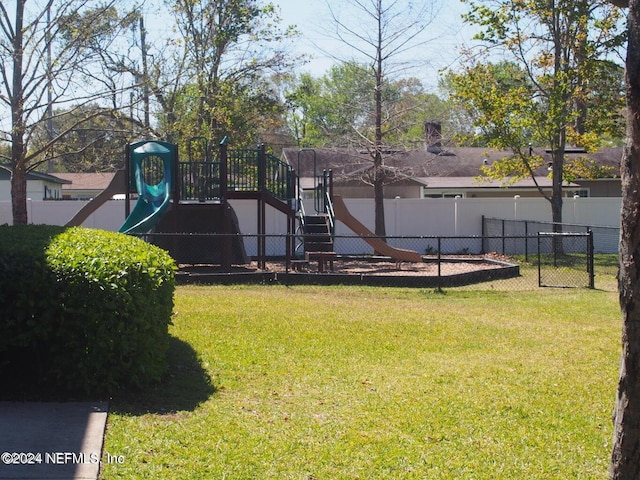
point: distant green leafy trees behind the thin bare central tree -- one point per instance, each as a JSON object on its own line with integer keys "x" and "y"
{"x": 325, "y": 111}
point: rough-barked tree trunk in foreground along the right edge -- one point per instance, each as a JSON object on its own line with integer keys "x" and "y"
{"x": 625, "y": 458}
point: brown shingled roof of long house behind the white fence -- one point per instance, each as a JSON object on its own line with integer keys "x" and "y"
{"x": 425, "y": 164}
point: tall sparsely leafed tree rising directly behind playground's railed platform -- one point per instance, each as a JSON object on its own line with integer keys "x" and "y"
{"x": 214, "y": 77}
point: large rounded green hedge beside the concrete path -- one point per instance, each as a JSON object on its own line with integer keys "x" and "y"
{"x": 82, "y": 309}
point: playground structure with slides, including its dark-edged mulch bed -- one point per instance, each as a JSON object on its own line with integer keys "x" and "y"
{"x": 184, "y": 207}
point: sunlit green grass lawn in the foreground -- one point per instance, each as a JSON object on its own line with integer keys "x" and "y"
{"x": 345, "y": 383}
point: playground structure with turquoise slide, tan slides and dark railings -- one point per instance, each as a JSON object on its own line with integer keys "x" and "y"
{"x": 185, "y": 198}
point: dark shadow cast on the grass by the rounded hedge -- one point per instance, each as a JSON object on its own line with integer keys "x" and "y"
{"x": 184, "y": 386}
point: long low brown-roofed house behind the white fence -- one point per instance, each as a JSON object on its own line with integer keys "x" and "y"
{"x": 437, "y": 172}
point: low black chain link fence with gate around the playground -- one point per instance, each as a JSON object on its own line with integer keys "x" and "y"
{"x": 448, "y": 262}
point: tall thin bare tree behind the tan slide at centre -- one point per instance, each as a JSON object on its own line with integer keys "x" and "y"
{"x": 381, "y": 33}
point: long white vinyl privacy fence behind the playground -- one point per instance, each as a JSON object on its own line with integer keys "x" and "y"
{"x": 403, "y": 217}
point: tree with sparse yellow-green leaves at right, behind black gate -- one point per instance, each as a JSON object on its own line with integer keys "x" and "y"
{"x": 544, "y": 93}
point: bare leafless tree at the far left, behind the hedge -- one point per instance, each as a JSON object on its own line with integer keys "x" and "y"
{"x": 49, "y": 56}
